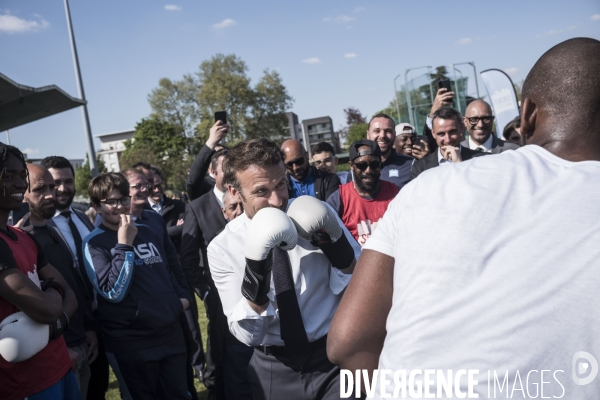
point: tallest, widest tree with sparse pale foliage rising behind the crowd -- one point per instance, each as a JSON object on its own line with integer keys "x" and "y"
{"x": 220, "y": 84}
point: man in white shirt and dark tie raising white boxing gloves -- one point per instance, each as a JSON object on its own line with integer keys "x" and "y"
{"x": 279, "y": 296}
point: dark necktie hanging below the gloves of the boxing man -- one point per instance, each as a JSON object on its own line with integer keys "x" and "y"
{"x": 293, "y": 333}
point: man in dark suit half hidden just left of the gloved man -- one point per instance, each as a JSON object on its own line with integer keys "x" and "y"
{"x": 203, "y": 221}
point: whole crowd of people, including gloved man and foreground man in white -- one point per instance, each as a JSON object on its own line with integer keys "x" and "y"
{"x": 303, "y": 269}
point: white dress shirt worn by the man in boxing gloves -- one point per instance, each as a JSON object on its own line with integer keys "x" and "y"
{"x": 318, "y": 285}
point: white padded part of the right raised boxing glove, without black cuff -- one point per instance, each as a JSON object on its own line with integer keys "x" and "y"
{"x": 311, "y": 215}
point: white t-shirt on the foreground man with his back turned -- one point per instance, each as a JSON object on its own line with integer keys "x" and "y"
{"x": 497, "y": 268}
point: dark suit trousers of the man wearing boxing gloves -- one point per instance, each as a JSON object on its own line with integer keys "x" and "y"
{"x": 271, "y": 379}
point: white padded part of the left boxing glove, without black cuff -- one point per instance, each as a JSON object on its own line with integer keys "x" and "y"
{"x": 270, "y": 227}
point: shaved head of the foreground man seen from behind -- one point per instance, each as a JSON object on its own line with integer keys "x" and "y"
{"x": 561, "y": 99}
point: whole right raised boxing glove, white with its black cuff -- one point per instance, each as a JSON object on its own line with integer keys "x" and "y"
{"x": 316, "y": 222}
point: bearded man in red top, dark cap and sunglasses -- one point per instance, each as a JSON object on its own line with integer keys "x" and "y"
{"x": 361, "y": 203}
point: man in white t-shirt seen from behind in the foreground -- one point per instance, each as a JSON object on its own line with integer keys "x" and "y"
{"x": 494, "y": 292}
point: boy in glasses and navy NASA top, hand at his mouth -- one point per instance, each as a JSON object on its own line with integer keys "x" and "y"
{"x": 139, "y": 300}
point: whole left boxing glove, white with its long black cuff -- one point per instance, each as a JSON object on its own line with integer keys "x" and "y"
{"x": 269, "y": 228}
